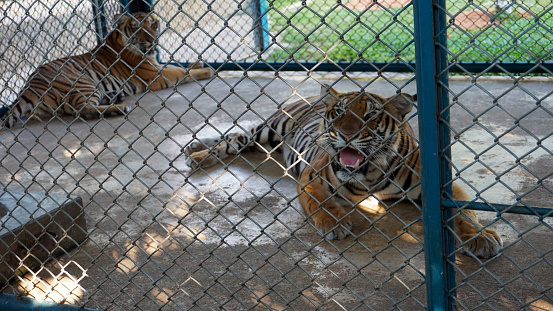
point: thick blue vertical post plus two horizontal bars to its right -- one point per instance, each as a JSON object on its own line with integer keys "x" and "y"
{"x": 432, "y": 73}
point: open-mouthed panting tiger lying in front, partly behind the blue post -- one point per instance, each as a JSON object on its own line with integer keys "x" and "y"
{"x": 346, "y": 146}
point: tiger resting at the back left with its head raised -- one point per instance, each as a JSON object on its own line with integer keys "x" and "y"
{"x": 95, "y": 83}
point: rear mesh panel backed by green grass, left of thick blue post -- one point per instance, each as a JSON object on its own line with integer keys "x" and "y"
{"x": 354, "y": 31}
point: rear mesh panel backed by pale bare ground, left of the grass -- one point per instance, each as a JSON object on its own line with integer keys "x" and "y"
{"x": 202, "y": 29}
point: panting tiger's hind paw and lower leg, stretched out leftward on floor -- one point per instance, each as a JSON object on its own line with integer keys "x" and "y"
{"x": 208, "y": 152}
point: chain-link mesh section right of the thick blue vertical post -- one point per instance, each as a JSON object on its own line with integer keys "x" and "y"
{"x": 501, "y": 151}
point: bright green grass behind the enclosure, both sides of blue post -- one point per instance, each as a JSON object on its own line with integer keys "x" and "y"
{"x": 324, "y": 29}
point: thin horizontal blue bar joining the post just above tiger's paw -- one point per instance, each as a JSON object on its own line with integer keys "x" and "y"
{"x": 500, "y": 208}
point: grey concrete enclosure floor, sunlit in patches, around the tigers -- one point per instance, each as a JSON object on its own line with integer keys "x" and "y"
{"x": 164, "y": 237}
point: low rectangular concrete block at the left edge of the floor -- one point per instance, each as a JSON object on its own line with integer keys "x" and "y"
{"x": 36, "y": 228}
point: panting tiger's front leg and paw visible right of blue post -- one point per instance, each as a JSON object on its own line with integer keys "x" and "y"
{"x": 481, "y": 242}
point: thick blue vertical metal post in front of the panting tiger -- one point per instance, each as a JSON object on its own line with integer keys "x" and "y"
{"x": 434, "y": 238}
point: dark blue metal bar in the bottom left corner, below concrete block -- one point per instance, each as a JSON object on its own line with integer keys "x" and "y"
{"x": 10, "y": 302}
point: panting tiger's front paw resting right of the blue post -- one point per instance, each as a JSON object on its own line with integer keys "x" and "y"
{"x": 487, "y": 244}
